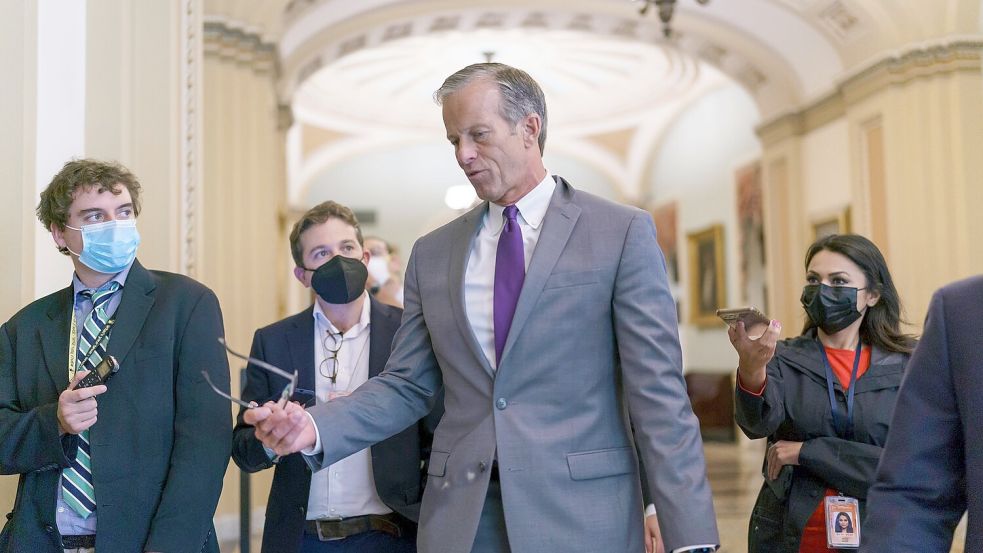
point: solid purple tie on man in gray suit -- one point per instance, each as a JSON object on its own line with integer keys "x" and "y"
{"x": 510, "y": 272}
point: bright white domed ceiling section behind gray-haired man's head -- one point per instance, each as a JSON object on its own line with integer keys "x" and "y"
{"x": 592, "y": 84}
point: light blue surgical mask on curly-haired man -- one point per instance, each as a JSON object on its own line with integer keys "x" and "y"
{"x": 109, "y": 247}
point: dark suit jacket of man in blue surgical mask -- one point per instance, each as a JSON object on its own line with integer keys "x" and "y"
{"x": 161, "y": 445}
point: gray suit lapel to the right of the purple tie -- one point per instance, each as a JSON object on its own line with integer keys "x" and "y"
{"x": 561, "y": 217}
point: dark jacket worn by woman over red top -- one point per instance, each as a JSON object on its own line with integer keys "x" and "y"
{"x": 795, "y": 406}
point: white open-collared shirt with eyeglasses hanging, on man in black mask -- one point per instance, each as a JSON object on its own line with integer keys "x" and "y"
{"x": 346, "y": 488}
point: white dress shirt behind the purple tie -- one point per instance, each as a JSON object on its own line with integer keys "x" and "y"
{"x": 479, "y": 279}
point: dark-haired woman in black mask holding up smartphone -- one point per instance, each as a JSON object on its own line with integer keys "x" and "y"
{"x": 823, "y": 399}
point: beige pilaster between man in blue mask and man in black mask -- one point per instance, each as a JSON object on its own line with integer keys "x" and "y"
{"x": 243, "y": 246}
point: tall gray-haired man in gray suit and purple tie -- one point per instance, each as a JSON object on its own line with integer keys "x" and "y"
{"x": 546, "y": 316}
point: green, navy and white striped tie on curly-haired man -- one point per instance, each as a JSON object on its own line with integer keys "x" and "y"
{"x": 76, "y": 480}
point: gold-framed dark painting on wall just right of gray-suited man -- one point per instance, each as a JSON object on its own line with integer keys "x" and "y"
{"x": 707, "y": 288}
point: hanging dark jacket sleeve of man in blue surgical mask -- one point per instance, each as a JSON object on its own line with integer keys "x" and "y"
{"x": 202, "y": 430}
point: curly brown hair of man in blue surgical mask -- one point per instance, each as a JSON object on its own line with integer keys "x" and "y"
{"x": 82, "y": 174}
